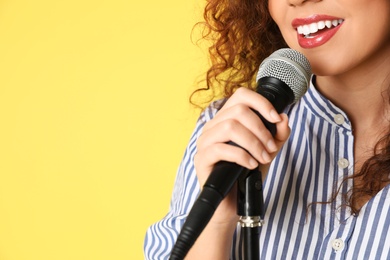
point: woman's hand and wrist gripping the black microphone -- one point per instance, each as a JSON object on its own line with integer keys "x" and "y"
{"x": 237, "y": 122}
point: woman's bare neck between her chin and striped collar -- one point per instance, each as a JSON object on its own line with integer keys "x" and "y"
{"x": 362, "y": 93}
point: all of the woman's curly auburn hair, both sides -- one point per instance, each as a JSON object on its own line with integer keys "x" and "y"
{"x": 242, "y": 34}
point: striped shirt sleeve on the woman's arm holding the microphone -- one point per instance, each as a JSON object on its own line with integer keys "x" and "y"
{"x": 161, "y": 236}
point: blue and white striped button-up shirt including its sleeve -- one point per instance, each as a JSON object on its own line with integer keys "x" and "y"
{"x": 308, "y": 169}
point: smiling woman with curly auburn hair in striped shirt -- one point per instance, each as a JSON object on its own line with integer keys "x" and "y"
{"x": 326, "y": 190}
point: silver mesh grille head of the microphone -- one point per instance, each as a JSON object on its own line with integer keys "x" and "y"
{"x": 289, "y": 66}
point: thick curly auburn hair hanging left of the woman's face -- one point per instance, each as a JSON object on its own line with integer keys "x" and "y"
{"x": 242, "y": 34}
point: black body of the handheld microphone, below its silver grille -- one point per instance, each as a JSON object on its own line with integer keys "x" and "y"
{"x": 225, "y": 174}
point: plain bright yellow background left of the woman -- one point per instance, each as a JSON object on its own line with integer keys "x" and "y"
{"x": 94, "y": 119}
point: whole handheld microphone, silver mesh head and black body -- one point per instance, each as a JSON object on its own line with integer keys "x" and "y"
{"x": 283, "y": 79}
